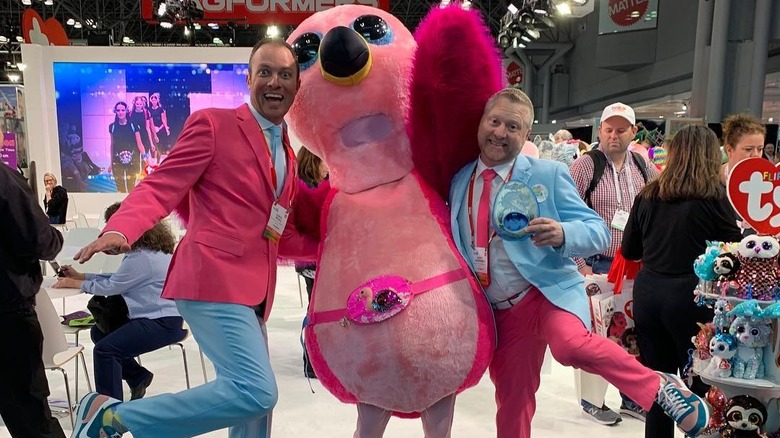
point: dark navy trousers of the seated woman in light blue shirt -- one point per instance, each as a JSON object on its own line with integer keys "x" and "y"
{"x": 114, "y": 352}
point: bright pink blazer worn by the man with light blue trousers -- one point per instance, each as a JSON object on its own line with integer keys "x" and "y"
{"x": 219, "y": 174}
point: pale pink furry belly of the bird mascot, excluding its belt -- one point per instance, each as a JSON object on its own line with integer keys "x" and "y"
{"x": 429, "y": 350}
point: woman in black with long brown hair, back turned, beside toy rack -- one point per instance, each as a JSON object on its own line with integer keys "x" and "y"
{"x": 664, "y": 313}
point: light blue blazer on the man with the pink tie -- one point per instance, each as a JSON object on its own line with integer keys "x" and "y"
{"x": 552, "y": 271}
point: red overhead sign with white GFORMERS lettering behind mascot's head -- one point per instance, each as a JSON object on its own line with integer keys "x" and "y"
{"x": 263, "y": 11}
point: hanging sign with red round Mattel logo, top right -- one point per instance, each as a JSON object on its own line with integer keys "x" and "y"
{"x": 626, "y": 15}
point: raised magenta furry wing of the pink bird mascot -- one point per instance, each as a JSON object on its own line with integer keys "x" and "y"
{"x": 446, "y": 108}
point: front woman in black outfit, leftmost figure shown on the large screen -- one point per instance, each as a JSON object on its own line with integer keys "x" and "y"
{"x": 127, "y": 149}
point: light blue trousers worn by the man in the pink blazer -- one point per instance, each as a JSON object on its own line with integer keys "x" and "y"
{"x": 242, "y": 395}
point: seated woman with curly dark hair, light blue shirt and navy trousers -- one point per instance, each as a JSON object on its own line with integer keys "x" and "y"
{"x": 153, "y": 322}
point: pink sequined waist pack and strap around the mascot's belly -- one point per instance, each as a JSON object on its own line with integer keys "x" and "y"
{"x": 383, "y": 297}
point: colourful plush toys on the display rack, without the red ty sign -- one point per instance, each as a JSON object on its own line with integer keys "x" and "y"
{"x": 738, "y": 319}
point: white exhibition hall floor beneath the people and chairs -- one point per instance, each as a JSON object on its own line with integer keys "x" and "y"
{"x": 312, "y": 412}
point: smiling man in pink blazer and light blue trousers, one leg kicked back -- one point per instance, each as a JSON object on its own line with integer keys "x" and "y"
{"x": 231, "y": 176}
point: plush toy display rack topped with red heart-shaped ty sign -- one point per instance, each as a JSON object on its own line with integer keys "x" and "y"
{"x": 738, "y": 352}
